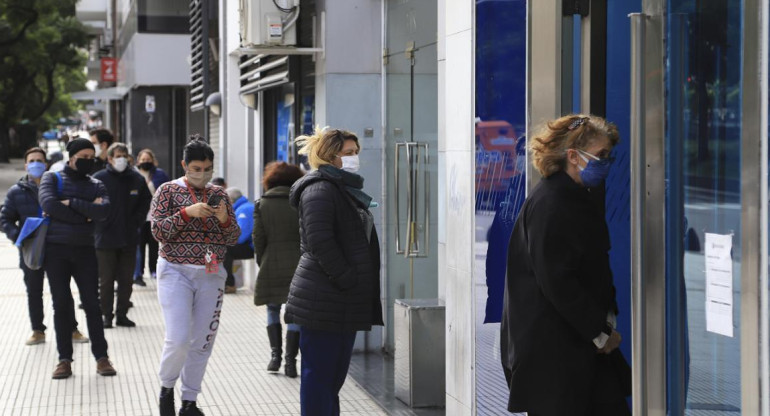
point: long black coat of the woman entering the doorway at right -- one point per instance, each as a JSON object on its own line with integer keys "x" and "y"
{"x": 558, "y": 291}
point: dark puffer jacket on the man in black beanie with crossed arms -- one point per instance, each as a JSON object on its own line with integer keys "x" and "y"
{"x": 73, "y": 224}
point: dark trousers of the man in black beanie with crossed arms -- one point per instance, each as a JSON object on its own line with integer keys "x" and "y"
{"x": 63, "y": 262}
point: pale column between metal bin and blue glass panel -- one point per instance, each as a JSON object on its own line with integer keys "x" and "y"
{"x": 456, "y": 193}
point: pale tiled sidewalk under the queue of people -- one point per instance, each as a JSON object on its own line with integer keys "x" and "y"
{"x": 236, "y": 382}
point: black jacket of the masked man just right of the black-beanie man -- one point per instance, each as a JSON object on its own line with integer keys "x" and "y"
{"x": 129, "y": 201}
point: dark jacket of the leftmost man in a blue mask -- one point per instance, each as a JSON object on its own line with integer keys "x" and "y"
{"x": 20, "y": 204}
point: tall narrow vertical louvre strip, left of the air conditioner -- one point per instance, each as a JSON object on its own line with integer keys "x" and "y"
{"x": 200, "y": 46}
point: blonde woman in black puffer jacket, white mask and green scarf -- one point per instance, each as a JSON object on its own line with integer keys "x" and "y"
{"x": 336, "y": 287}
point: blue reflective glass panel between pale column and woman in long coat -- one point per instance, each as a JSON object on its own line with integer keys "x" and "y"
{"x": 500, "y": 165}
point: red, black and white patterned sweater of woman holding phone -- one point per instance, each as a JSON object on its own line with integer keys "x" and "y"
{"x": 183, "y": 238}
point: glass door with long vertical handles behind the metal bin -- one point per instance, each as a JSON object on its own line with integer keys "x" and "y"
{"x": 412, "y": 153}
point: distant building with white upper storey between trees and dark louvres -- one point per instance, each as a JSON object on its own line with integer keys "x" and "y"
{"x": 146, "y": 101}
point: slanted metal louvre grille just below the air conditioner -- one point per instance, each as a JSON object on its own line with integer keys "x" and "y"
{"x": 260, "y": 72}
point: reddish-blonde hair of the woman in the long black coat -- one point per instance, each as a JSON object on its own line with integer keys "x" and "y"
{"x": 575, "y": 131}
